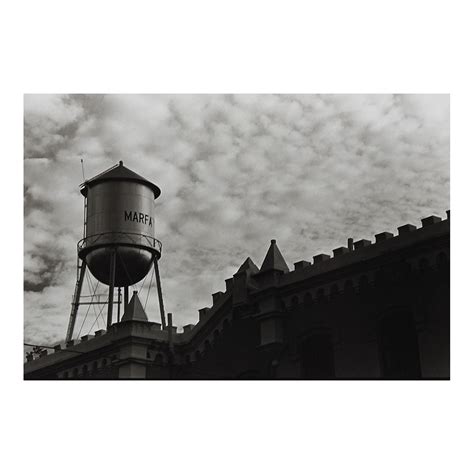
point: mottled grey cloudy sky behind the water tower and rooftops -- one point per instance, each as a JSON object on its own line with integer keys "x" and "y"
{"x": 235, "y": 172}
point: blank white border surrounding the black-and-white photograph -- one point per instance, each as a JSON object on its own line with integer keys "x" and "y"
{"x": 140, "y": 46}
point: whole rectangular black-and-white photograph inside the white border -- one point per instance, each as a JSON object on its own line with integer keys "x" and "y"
{"x": 237, "y": 236}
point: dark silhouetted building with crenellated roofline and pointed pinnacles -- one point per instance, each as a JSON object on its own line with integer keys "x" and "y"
{"x": 373, "y": 310}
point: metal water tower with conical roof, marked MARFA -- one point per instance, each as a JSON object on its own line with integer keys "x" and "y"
{"x": 119, "y": 245}
